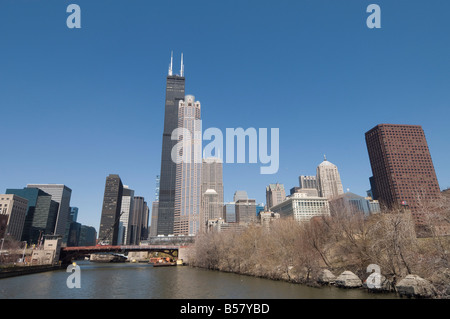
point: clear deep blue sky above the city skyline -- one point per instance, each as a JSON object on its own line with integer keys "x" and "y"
{"x": 79, "y": 104}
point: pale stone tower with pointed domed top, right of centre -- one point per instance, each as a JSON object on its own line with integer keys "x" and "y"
{"x": 329, "y": 183}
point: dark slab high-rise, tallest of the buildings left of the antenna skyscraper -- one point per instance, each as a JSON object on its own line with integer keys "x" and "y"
{"x": 112, "y": 203}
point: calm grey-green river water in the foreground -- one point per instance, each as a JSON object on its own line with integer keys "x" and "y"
{"x": 142, "y": 281}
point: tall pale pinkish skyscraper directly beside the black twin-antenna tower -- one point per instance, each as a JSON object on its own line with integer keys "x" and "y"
{"x": 188, "y": 170}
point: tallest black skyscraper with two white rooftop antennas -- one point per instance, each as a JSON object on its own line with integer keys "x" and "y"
{"x": 174, "y": 94}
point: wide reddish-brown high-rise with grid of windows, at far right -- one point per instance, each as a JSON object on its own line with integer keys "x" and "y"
{"x": 403, "y": 172}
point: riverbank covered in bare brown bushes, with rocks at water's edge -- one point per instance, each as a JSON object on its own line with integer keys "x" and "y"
{"x": 348, "y": 246}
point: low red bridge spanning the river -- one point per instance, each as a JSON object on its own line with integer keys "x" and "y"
{"x": 70, "y": 253}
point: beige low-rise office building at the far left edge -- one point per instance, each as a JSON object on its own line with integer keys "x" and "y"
{"x": 15, "y": 208}
